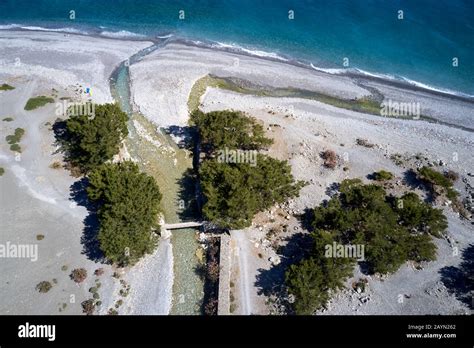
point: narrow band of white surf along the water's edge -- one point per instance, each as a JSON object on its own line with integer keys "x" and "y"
{"x": 402, "y": 82}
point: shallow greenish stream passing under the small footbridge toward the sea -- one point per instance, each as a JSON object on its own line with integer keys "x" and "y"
{"x": 159, "y": 156}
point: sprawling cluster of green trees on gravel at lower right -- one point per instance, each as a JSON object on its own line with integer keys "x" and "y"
{"x": 392, "y": 230}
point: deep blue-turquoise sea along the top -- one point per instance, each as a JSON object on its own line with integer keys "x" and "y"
{"x": 420, "y": 47}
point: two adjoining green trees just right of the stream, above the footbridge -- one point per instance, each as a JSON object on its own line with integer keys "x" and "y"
{"x": 235, "y": 192}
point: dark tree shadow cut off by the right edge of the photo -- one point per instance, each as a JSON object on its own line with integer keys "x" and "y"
{"x": 460, "y": 280}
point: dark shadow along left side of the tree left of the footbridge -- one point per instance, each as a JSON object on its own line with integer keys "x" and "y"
{"x": 89, "y": 240}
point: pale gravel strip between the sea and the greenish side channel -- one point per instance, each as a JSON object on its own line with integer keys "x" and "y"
{"x": 176, "y": 56}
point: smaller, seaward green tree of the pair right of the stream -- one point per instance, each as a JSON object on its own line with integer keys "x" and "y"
{"x": 231, "y": 129}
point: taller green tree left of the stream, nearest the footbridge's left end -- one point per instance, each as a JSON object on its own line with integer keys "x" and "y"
{"x": 128, "y": 208}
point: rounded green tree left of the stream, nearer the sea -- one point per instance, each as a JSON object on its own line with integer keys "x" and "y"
{"x": 89, "y": 142}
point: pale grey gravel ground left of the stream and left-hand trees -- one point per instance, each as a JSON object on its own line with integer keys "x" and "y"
{"x": 34, "y": 198}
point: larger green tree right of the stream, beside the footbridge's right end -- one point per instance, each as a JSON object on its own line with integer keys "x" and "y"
{"x": 235, "y": 192}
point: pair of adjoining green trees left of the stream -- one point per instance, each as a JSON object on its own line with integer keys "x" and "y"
{"x": 127, "y": 201}
